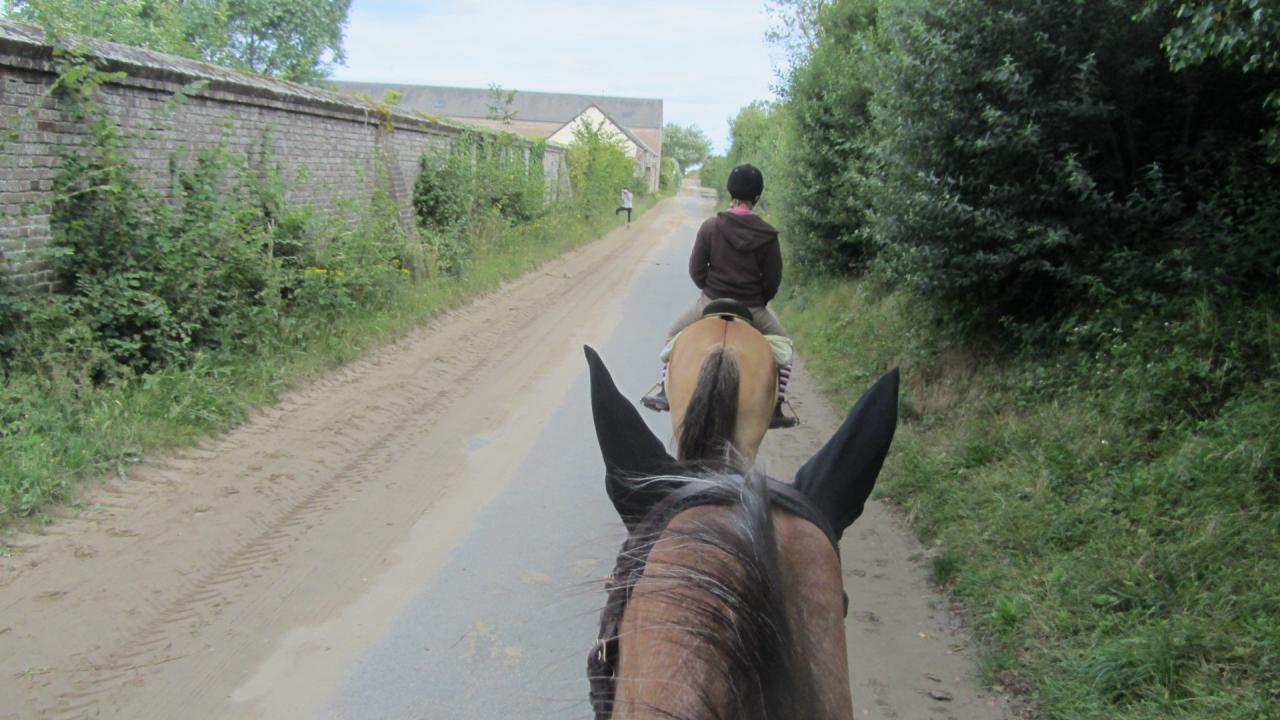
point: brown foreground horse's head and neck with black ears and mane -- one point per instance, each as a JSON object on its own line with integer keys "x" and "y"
{"x": 728, "y": 598}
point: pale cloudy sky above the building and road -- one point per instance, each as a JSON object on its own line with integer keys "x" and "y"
{"x": 706, "y": 60}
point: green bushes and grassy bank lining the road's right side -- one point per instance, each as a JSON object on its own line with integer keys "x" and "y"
{"x": 1060, "y": 220}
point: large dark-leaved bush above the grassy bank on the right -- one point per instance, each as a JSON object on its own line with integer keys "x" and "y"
{"x": 1043, "y": 157}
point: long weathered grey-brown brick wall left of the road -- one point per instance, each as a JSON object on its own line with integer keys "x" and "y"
{"x": 328, "y": 147}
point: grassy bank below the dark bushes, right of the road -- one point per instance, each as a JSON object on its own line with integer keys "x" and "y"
{"x": 1109, "y": 514}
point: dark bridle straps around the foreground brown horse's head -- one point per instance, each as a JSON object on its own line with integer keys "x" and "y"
{"x": 602, "y": 662}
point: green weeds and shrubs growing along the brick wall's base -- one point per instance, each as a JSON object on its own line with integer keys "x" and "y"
{"x": 193, "y": 298}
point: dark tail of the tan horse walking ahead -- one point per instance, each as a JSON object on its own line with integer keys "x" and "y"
{"x": 707, "y": 431}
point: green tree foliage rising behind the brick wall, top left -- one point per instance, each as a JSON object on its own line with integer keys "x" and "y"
{"x": 298, "y": 40}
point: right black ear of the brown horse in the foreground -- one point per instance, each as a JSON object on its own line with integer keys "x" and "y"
{"x": 840, "y": 477}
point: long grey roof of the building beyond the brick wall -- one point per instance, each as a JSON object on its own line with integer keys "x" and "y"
{"x": 528, "y": 106}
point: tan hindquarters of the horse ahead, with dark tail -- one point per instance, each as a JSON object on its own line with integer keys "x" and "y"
{"x": 723, "y": 385}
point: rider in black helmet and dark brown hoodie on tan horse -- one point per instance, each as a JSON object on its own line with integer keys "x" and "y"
{"x": 737, "y": 257}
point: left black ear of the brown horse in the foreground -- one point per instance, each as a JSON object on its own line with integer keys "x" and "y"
{"x": 633, "y": 454}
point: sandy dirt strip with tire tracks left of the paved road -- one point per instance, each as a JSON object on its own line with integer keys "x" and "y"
{"x": 157, "y": 599}
